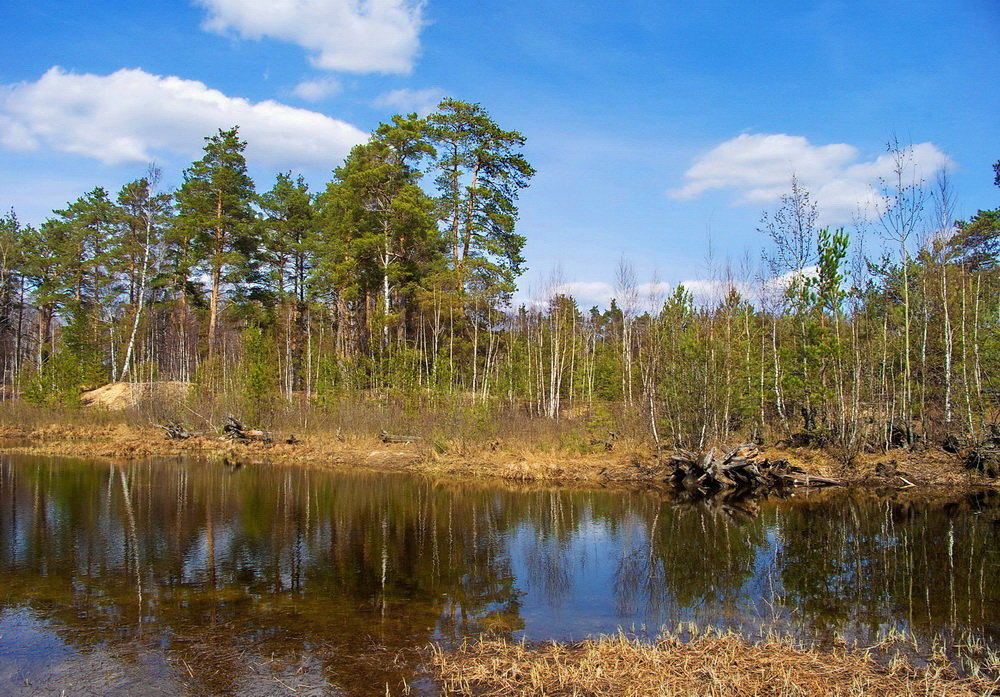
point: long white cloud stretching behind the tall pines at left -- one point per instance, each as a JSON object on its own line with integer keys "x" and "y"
{"x": 132, "y": 116}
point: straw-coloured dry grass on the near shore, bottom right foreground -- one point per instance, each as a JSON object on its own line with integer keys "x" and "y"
{"x": 710, "y": 664}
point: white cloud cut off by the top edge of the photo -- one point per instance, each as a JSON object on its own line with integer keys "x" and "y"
{"x": 357, "y": 36}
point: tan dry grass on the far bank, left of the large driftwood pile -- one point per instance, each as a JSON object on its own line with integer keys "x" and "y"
{"x": 453, "y": 439}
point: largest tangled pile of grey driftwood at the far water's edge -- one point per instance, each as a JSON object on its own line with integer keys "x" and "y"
{"x": 739, "y": 468}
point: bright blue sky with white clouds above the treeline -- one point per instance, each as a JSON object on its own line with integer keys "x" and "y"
{"x": 652, "y": 124}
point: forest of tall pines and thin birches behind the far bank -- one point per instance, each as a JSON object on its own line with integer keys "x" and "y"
{"x": 390, "y": 290}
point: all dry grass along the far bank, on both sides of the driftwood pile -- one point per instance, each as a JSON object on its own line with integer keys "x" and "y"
{"x": 456, "y": 437}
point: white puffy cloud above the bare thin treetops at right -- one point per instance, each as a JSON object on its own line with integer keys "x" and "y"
{"x": 758, "y": 168}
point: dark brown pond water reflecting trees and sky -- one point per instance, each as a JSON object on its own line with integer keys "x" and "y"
{"x": 175, "y": 578}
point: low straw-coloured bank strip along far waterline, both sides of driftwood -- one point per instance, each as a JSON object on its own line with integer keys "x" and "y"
{"x": 899, "y": 468}
